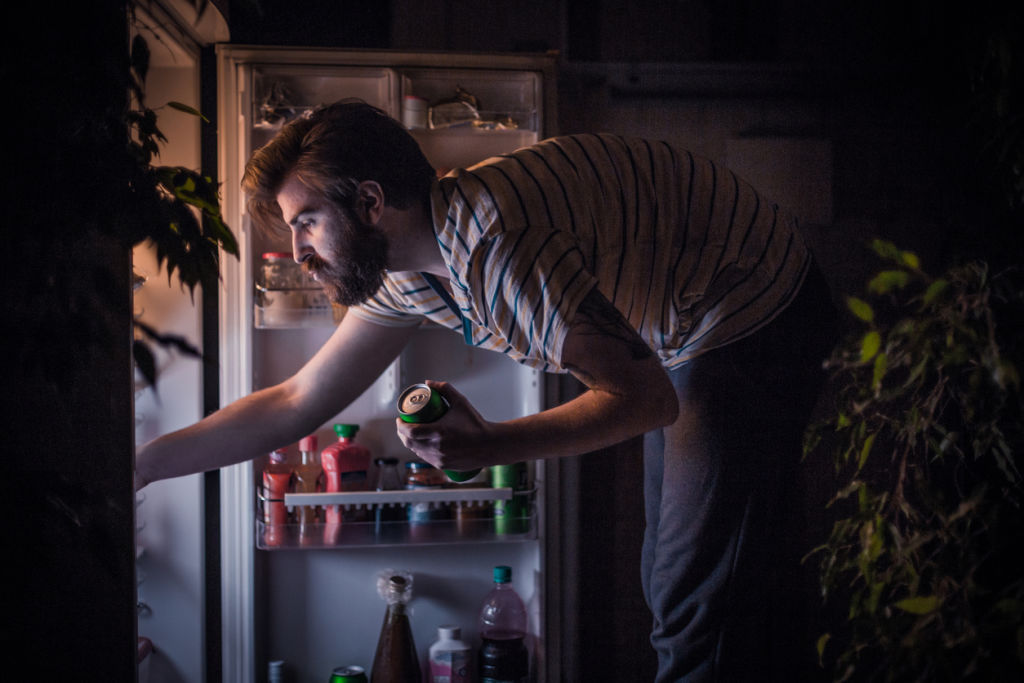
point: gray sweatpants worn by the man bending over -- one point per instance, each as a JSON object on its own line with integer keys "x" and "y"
{"x": 719, "y": 557}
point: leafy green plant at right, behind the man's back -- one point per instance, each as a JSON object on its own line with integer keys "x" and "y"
{"x": 926, "y": 440}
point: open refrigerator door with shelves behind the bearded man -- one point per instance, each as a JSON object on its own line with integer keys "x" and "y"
{"x": 311, "y": 601}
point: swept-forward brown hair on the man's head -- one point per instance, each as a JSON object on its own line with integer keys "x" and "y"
{"x": 332, "y": 152}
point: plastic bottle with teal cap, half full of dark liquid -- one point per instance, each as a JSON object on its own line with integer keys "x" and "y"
{"x": 503, "y": 629}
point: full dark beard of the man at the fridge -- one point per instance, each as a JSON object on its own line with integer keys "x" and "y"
{"x": 354, "y": 270}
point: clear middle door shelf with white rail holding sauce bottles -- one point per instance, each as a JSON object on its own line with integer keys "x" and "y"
{"x": 470, "y": 517}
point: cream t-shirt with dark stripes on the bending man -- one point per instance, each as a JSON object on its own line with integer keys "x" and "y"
{"x": 690, "y": 253}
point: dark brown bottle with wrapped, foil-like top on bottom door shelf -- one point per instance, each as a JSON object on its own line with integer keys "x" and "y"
{"x": 397, "y": 661}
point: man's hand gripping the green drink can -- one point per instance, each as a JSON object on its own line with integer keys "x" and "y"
{"x": 461, "y": 440}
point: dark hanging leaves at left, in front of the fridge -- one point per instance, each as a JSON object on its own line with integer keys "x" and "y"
{"x": 177, "y": 209}
